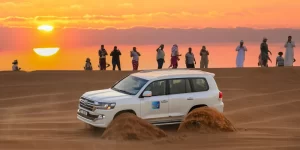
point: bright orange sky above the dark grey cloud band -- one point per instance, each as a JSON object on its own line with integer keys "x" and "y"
{"x": 151, "y": 13}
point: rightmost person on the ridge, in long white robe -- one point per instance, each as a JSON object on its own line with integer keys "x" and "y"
{"x": 289, "y": 52}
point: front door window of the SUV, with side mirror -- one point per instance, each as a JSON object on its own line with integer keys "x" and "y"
{"x": 157, "y": 88}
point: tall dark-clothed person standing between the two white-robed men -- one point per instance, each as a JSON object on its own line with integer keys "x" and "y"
{"x": 264, "y": 53}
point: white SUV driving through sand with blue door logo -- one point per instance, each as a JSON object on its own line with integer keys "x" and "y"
{"x": 159, "y": 96}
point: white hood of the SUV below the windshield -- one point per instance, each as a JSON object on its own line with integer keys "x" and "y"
{"x": 107, "y": 95}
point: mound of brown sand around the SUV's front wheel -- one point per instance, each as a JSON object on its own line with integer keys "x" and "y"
{"x": 127, "y": 126}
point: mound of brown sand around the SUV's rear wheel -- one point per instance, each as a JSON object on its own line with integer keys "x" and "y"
{"x": 206, "y": 120}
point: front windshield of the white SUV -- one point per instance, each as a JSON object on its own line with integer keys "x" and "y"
{"x": 130, "y": 85}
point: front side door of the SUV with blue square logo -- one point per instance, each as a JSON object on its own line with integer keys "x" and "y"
{"x": 155, "y": 109}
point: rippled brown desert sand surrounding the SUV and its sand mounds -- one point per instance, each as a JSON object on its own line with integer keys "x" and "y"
{"x": 38, "y": 112}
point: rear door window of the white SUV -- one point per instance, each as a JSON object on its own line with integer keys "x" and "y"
{"x": 178, "y": 86}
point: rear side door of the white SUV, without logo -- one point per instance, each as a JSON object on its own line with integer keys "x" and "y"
{"x": 180, "y": 98}
